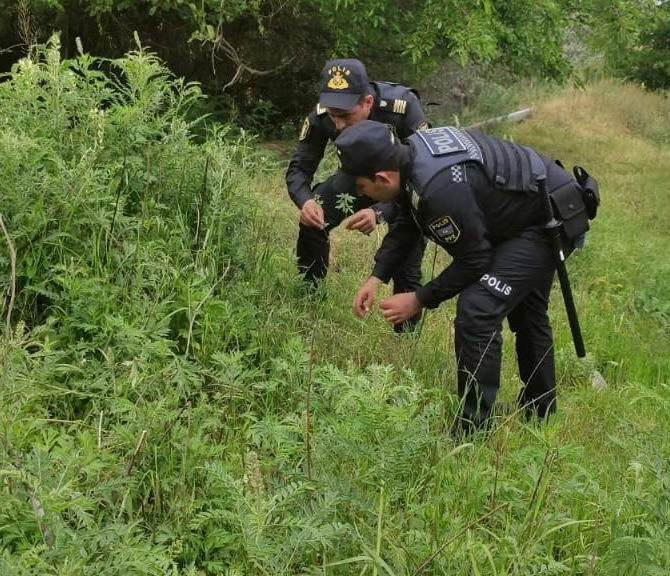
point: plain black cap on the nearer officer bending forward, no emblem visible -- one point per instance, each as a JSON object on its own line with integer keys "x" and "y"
{"x": 366, "y": 148}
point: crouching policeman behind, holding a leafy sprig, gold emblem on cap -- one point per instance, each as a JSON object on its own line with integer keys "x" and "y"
{"x": 347, "y": 97}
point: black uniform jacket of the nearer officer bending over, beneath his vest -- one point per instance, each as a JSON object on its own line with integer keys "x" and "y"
{"x": 462, "y": 210}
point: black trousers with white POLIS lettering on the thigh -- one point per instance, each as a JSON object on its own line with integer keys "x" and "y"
{"x": 516, "y": 287}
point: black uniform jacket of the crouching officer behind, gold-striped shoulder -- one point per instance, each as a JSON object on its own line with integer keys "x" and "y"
{"x": 395, "y": 105}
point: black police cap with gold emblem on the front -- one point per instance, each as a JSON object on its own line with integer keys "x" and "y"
{"x": 343, "y": 82}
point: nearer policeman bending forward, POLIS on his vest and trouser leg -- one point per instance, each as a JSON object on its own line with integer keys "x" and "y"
{"x": 477, "y": 197}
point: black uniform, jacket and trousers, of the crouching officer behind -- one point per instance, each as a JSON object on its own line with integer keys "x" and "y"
{"x": 395, "y": 105}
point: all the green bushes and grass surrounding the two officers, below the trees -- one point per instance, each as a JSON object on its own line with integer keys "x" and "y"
{"x": 172, "y": 402}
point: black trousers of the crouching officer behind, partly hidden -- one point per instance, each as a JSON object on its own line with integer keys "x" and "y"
{"x": 313, "y": 248}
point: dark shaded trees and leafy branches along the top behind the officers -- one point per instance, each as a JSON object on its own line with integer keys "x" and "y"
{"x": 259, "y": 59}
